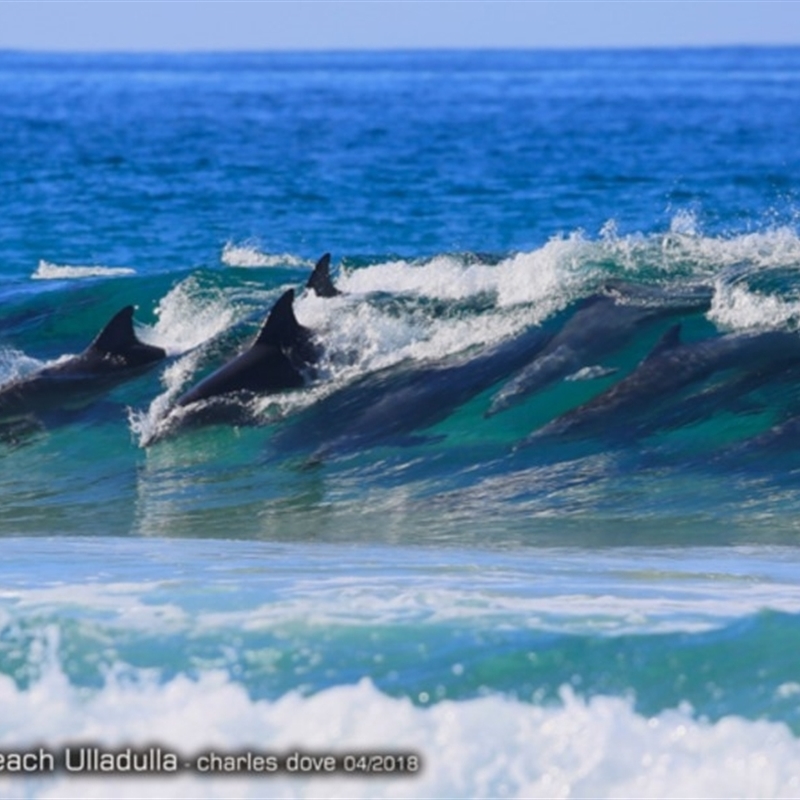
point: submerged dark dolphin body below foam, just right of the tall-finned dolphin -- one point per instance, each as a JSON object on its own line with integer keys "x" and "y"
{"x": 392, "y": 403}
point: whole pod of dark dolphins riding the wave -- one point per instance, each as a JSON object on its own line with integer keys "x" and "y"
{"x": 391, "y": 405}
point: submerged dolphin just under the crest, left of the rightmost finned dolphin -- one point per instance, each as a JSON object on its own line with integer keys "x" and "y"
{"x": 600, "y": 325}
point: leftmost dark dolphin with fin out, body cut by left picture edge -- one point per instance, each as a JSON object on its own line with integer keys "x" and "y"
{"x": 115, "y": 355}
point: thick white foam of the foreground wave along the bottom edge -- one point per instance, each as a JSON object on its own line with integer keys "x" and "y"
{"x": 486, "y": 747}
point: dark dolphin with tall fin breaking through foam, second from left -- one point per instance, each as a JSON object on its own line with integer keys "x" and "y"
{"x": 274, "y": 361}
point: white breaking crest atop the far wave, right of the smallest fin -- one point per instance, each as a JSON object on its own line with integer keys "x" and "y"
{"x": 571, "y": 266}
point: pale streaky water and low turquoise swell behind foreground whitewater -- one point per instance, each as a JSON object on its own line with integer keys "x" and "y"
{"x": 650, "y": 624}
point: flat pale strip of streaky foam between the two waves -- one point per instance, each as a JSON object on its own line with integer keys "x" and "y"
{"x": 636, "y": 592}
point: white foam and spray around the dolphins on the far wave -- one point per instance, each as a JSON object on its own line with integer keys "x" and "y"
{"x": 426, "y": 310}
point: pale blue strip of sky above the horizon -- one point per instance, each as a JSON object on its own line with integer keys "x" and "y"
{"x": 183, "y": 25}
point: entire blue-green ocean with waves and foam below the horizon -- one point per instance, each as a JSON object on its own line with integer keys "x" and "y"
{"x": 375, "y": 562}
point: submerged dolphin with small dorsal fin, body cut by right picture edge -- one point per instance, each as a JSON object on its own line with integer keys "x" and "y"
{"x": 669, "y": 367}
